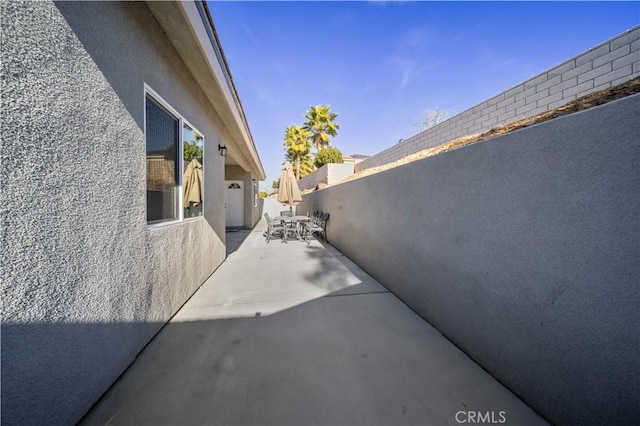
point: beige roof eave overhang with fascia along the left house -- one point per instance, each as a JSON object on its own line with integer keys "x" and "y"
{"x": 190, "y": 28}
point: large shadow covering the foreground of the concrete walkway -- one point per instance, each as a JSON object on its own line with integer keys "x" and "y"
{"x": 356, "y": 360}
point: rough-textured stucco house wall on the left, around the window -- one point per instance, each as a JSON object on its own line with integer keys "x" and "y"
{"x": 86, "y": 283}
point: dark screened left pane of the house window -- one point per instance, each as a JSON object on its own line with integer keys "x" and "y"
{"x": 162, "y": 131}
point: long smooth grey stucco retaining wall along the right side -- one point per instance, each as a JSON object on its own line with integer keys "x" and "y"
{"x": 523, "y": 251}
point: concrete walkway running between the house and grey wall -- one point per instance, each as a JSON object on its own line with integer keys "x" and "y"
{"x": 297, "y": 334}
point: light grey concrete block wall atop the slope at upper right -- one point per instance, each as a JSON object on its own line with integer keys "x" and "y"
{"x": 608, "y": 64}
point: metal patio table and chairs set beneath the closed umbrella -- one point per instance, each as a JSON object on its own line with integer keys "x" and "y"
{"x": 288, "y": 226}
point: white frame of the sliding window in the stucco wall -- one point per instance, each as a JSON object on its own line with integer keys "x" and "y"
{"x": 181, "y": 122}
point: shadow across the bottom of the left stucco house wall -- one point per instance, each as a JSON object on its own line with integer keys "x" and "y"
{"x": 68, "y": 358}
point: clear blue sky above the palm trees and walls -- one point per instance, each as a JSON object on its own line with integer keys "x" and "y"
{"x": 380, "y": 65}
